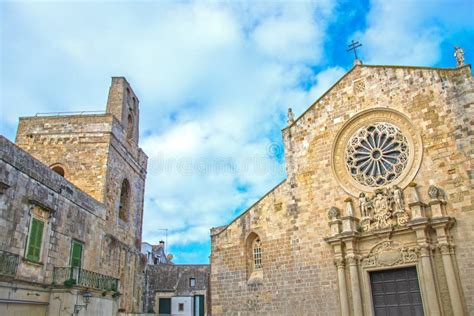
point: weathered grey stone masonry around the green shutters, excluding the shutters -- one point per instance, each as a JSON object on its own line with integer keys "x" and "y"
{"x": 32, "y": 187}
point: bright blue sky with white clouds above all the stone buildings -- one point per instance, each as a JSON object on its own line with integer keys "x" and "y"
{"x": 214, "y": 78}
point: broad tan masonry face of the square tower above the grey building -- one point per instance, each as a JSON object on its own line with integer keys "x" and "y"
{"x": 80, "y": 144}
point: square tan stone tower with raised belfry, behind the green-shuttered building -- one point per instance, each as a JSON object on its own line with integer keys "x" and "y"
{"x": 98, "y": 152}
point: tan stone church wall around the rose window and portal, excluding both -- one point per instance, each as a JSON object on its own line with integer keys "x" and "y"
{"x": 299, "y": 276}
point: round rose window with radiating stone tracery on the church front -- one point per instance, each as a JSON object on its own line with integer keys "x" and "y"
{"x": 377, "y": 154}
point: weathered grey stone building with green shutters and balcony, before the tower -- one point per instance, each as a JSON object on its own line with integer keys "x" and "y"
{"x": 48, "y": 225}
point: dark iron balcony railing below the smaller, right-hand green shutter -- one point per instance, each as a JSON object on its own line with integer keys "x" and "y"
{"x": 70, "y": 276}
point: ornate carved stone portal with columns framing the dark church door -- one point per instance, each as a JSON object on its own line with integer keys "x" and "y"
{"x": 392, "y": 234}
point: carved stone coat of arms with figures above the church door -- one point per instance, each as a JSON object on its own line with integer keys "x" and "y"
{"x": 385, "y": 208}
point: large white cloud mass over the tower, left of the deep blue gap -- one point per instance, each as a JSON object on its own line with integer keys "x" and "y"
{"x": 214, "y": 82}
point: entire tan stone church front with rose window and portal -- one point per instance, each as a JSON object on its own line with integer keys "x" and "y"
{"x": 376, "y": 215}
